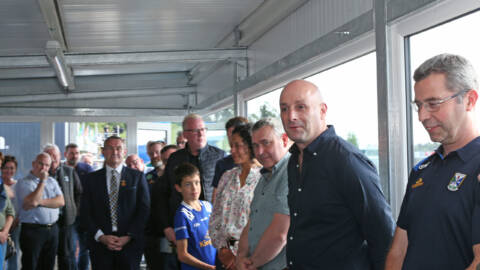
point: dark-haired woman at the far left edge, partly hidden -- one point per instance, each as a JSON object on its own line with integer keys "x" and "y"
{"x": 9, "y": 169}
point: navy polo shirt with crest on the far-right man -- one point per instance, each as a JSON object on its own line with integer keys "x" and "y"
{"x": 441, "y": 210}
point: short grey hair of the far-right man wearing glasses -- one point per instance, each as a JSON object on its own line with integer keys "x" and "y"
{"x": 459, "y": 72}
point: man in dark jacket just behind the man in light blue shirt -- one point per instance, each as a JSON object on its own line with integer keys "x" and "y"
{"x": 70, "y": 184}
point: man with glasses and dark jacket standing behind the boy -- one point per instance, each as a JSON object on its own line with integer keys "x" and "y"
{"x": 196, "y": 152}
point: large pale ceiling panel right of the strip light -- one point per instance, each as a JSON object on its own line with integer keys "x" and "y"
{"x": 150, "y": 25}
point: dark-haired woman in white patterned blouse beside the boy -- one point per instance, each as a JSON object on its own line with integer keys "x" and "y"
{"x": 234, "y": 195}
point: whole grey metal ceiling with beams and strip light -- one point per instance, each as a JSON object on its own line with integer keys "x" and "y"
{"x": 69, "y": 57}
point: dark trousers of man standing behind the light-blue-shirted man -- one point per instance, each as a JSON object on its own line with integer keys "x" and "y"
{"x": 66, "y": 249}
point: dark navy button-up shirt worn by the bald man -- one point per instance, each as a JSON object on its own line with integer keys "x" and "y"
{"x": 339, "y": 218}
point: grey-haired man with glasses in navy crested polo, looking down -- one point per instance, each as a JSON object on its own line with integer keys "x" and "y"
{"x": 439, "y": 222}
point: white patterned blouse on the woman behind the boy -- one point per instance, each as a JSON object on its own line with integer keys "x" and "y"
{"x": 232, "y": 206}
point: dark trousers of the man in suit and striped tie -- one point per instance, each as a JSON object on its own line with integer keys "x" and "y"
{"x": 126, "y": 259}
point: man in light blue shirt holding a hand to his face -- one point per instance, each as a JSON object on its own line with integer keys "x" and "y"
{"x": 40, "y": 197}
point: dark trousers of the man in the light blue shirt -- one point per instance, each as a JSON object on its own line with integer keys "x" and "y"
{"x": 39, "y": 247}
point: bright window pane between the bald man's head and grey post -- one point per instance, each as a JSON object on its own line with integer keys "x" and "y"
{"x": 352, "y": 102}
